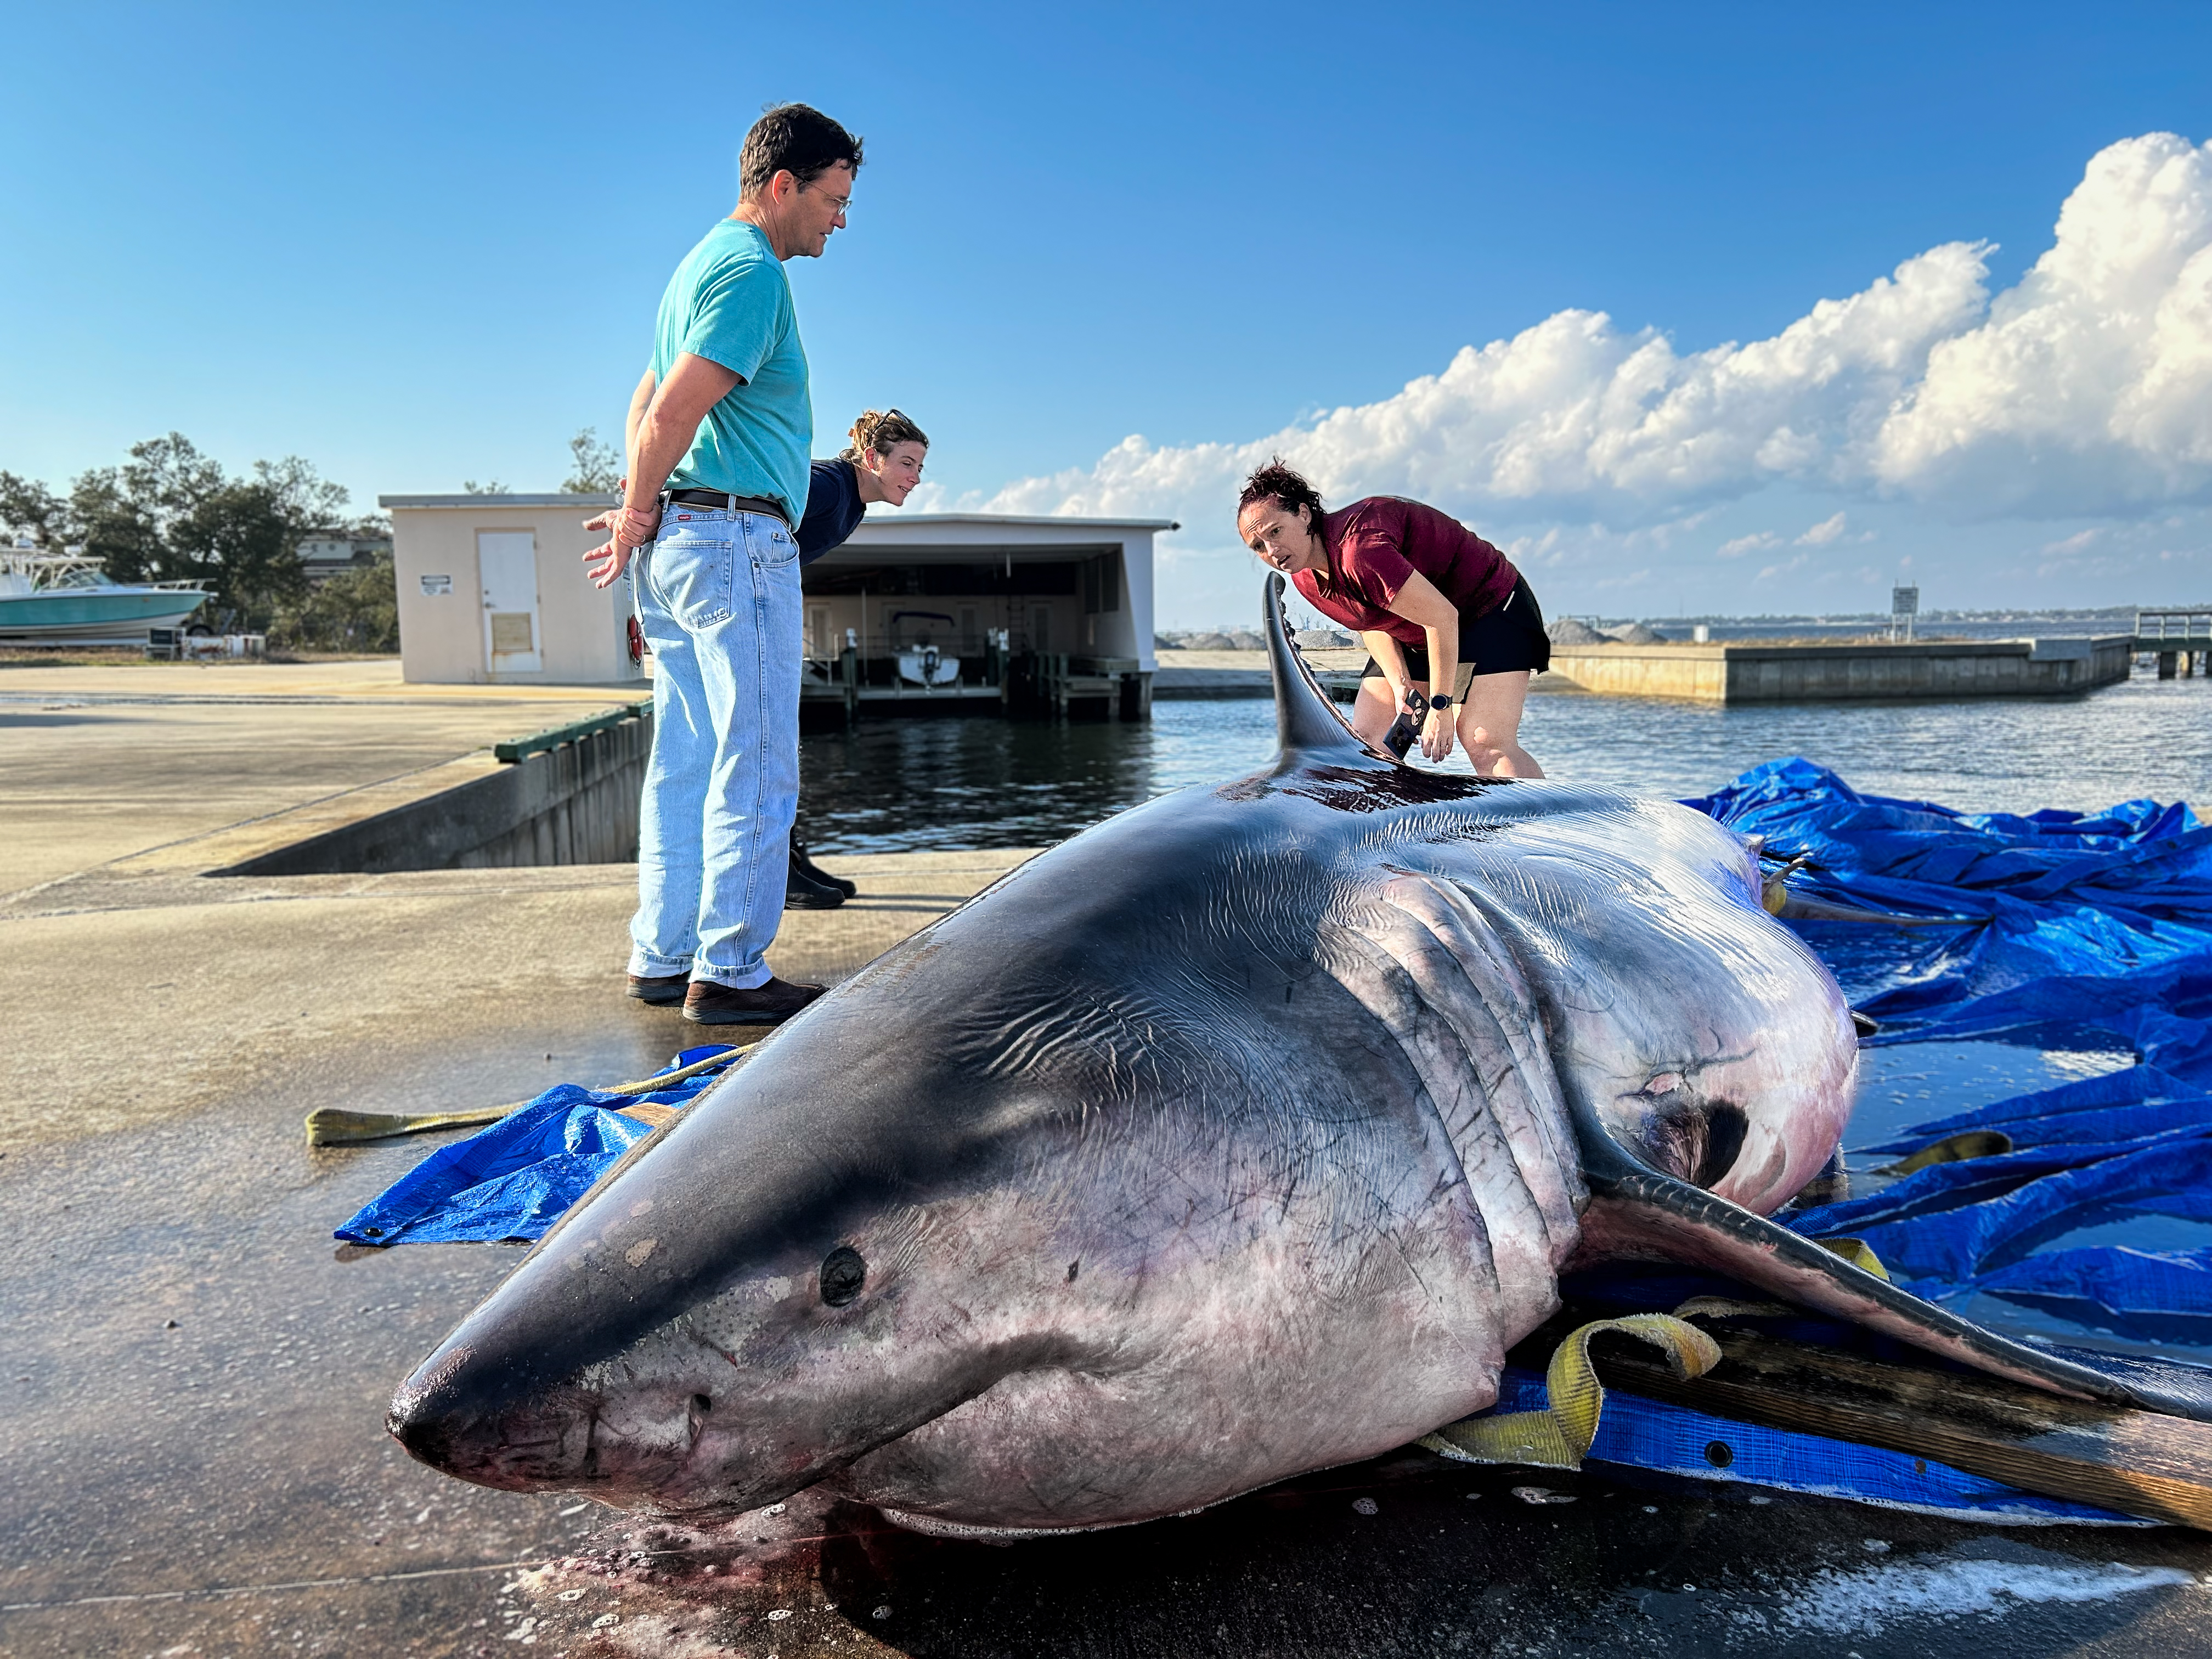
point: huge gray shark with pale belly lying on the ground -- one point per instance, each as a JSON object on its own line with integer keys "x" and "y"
{"x": 1235, "y": 1138}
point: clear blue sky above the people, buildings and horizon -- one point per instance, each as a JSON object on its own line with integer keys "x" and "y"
{"x": 424, "y": 244}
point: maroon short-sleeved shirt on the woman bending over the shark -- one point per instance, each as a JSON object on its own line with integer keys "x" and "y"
{"x": 1379, "y": 543}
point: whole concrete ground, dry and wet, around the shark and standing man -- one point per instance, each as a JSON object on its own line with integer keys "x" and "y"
{"x": 196, "y": 1375}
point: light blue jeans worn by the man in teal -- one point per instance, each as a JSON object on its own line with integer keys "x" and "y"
{"x": 718, "y": 598}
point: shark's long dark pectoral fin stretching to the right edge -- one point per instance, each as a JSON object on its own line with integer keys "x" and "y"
{"x": 1649, "y": 1211}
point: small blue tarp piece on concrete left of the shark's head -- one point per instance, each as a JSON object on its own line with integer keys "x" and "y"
{"x": 517, "y": 1178}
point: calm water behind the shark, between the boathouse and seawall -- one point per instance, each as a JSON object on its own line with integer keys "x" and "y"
{"x": 950, "y": 784}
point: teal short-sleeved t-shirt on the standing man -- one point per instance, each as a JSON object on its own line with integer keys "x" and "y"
{"x": 733, "y": 304}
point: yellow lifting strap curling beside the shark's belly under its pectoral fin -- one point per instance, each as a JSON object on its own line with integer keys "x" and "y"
{"x": 1563, "y": 1432}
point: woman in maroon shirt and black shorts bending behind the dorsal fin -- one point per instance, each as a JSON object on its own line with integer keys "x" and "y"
{"x": 1439, "y": 609}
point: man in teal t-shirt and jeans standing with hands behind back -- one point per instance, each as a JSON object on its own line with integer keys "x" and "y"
{"x": 718, "y": 481}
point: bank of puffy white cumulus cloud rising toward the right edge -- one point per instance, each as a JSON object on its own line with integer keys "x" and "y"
{"x": 2085, "y": 390}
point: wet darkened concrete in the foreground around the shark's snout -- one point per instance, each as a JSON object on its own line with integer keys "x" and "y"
{"x": 196, "y": 1465}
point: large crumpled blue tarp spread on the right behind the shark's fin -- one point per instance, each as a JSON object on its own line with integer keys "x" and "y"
{"x": 2089, "y": 930}
